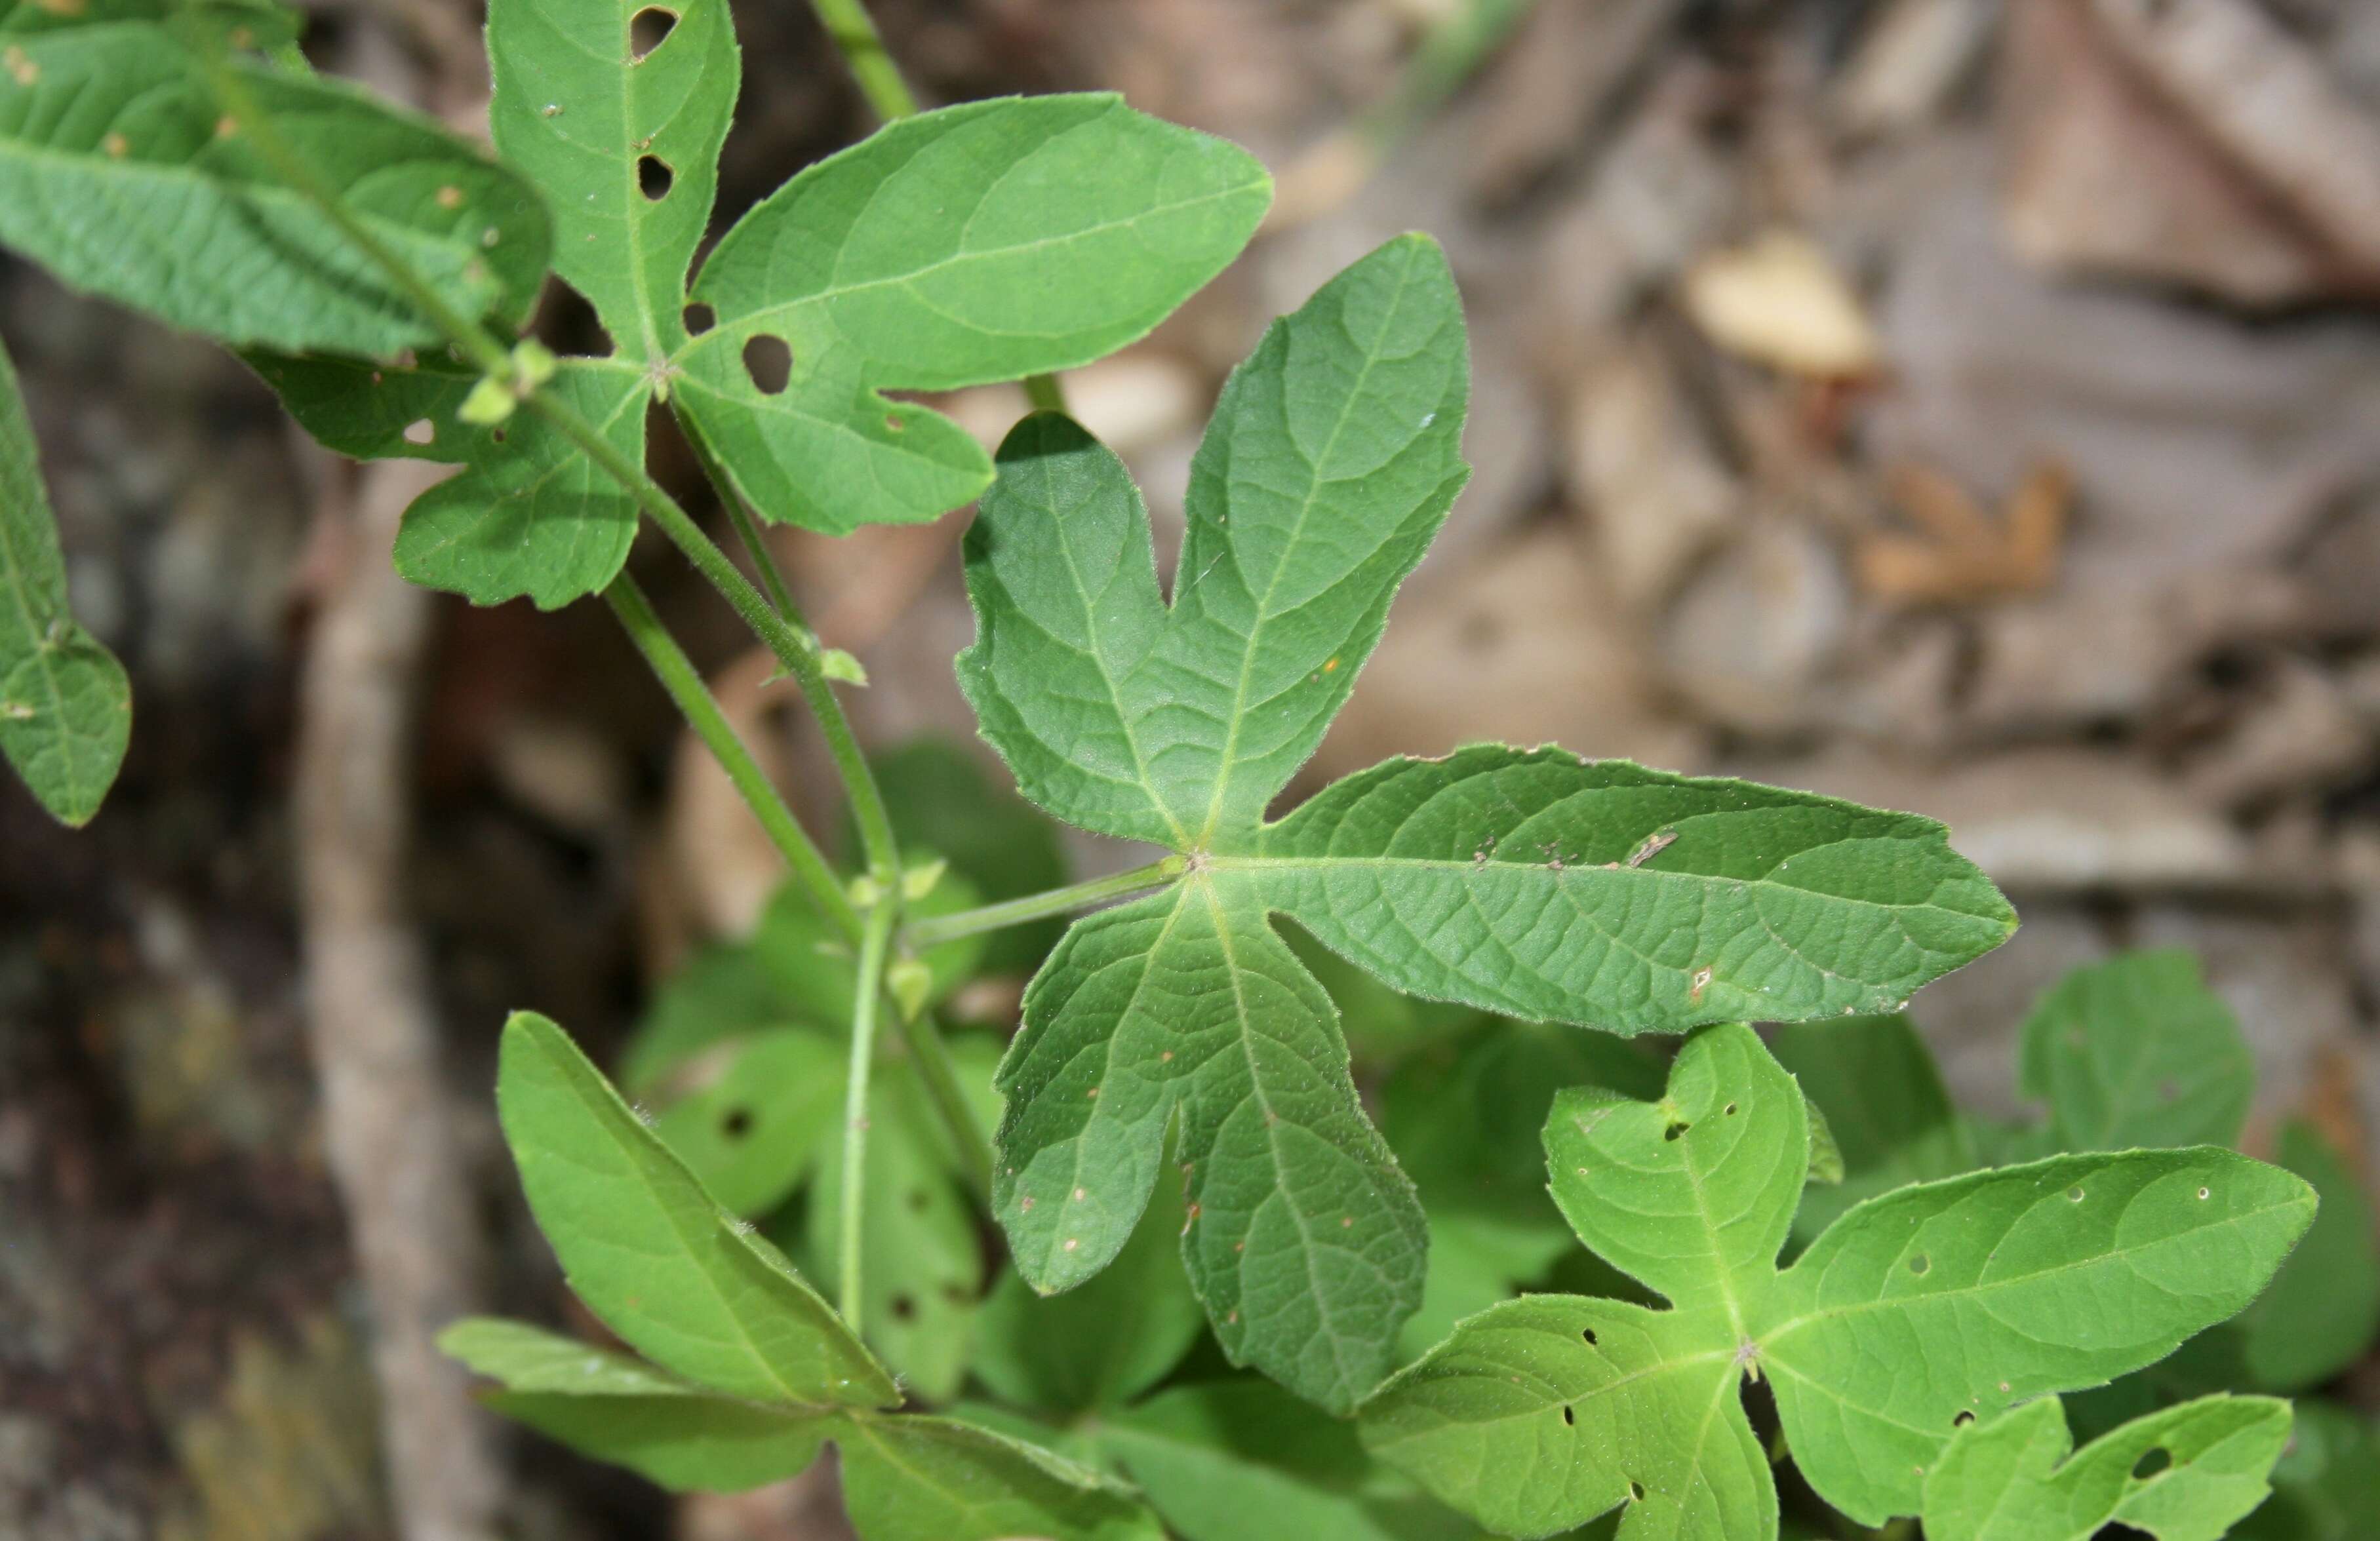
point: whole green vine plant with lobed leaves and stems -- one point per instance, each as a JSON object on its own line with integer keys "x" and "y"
{"x": 1912, "y": 1350}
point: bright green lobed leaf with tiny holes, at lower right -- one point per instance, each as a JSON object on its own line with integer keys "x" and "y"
{"x": 1912, "y": 1316}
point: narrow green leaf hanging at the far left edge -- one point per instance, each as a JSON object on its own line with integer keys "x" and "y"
{"x": 65, "y": 705}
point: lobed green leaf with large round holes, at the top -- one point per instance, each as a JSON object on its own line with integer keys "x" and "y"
{"x": 965, "y": 246}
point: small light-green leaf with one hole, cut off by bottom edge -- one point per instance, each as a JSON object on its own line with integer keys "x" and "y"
{"x": 2179, "y": 1476}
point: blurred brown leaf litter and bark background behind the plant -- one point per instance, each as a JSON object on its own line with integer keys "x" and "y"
{"x": 1955, "y": 405}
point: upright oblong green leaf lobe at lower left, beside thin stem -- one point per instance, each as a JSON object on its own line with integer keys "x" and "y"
{"x": 653, "y": 1254}
